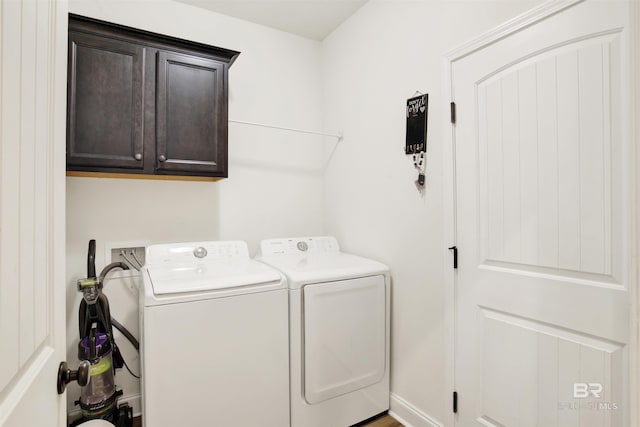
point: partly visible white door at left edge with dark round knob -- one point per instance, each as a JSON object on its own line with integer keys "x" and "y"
{"x": 32, "y": 296}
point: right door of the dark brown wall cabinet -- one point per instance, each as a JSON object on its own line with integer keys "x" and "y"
{"x": 191, "y": 116}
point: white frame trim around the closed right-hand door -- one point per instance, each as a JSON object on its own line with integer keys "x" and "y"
{"x": 512, "y": 26}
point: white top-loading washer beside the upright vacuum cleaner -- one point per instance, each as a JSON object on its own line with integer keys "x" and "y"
{"x": 215, "y": 339}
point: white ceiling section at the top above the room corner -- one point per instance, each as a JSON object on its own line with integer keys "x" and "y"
{"x": 313, "y": 19}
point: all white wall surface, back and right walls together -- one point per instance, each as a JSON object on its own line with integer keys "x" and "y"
{"x": 360, "y": 189}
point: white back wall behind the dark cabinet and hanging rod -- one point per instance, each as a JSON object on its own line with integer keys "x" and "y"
{"x": 275, "y": 178}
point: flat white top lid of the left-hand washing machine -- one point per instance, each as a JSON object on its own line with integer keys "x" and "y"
{"x": 215, "y": 275}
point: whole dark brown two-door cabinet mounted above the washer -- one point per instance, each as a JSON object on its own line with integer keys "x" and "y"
{"x": 144, "y": 104}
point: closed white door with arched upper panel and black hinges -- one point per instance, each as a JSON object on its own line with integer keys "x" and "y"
{"x": 543, "y": 185}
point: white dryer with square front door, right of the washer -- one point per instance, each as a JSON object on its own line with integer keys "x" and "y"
{"x": 339, "y": 331}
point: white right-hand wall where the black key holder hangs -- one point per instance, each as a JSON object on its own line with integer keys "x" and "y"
{"x": 371, "y": 65}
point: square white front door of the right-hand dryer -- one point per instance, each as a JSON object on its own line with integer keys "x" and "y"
{"x": 344, "y": 336}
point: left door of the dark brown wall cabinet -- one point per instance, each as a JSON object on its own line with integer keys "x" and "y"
{"x": 105, "y": 108}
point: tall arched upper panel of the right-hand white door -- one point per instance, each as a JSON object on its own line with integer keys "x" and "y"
{"x": 548, "y": 161}
